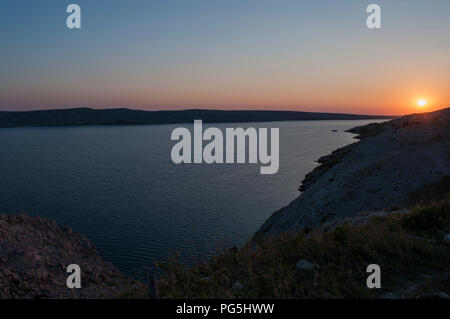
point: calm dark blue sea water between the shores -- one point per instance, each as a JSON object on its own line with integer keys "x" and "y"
{"x": 118, "y": 187}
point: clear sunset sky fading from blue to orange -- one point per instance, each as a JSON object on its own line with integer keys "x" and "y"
{"x": 226, "y": 54}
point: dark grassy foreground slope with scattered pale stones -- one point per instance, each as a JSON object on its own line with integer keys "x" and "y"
{"x": 410, "y": 249}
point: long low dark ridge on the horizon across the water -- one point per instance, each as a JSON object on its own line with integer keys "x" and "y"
{"x": 123, "y": 116}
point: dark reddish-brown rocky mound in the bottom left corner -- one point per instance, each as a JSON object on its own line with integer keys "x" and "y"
{"x": 35, "y": 253}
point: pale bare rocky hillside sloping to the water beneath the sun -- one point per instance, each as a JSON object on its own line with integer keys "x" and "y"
{"x": 391, "y": 162}
